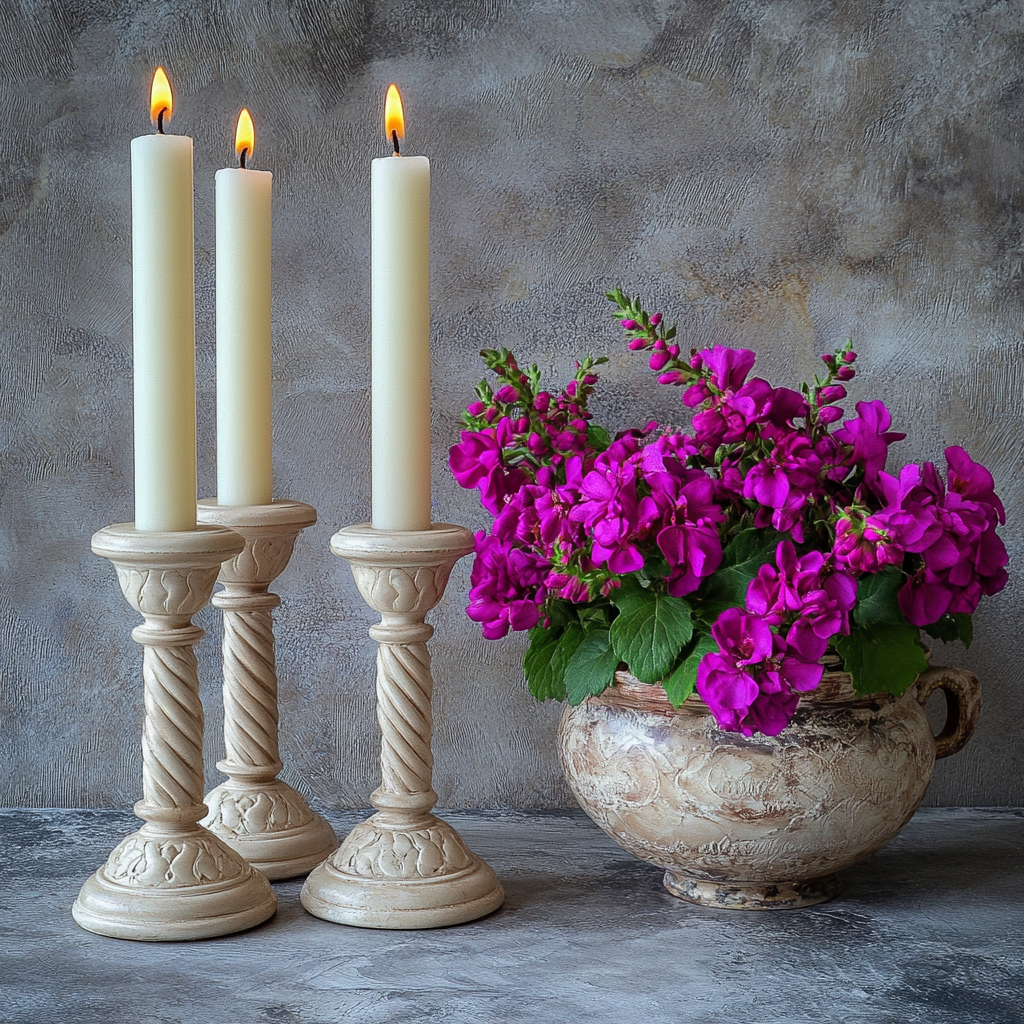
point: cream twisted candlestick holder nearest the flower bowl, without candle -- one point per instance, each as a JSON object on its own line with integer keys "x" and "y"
{"x": 404, "y": 868}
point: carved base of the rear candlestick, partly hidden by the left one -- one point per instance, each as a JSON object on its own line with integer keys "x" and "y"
{"x": 271, "y": 826}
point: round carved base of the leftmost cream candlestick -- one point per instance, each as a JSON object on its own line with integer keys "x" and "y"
{"x": 159, "y": 888}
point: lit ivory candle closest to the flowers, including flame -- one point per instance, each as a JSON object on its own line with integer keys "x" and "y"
{"x": 401, "y": 329}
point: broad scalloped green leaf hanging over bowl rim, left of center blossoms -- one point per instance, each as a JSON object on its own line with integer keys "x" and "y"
{"x": 651, "y": 631}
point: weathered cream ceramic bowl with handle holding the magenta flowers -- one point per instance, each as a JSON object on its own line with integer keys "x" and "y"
{"x": 760, "y": 823}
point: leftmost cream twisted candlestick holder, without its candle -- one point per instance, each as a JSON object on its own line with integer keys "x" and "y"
{"x": 173, "y": 879}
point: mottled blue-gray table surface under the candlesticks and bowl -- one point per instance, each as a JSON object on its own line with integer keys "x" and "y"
{"x": 931, "y": 929}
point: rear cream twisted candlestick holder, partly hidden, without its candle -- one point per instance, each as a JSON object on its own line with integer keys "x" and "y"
{"x": 255, "y": 814}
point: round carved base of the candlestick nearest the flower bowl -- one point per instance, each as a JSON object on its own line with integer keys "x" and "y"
{"x": 386, "y": 876}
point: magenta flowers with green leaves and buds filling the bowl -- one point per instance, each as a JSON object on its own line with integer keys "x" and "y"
{"x": 729, "y": 560}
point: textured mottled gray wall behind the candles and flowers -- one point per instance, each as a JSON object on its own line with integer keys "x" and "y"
{"x": 781, "y": 176}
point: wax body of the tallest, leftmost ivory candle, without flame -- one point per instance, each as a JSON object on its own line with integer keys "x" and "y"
{"x": 164, "y": 328}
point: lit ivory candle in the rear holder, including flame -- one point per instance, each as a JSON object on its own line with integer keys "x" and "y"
{"x": 244, "y": 461}
